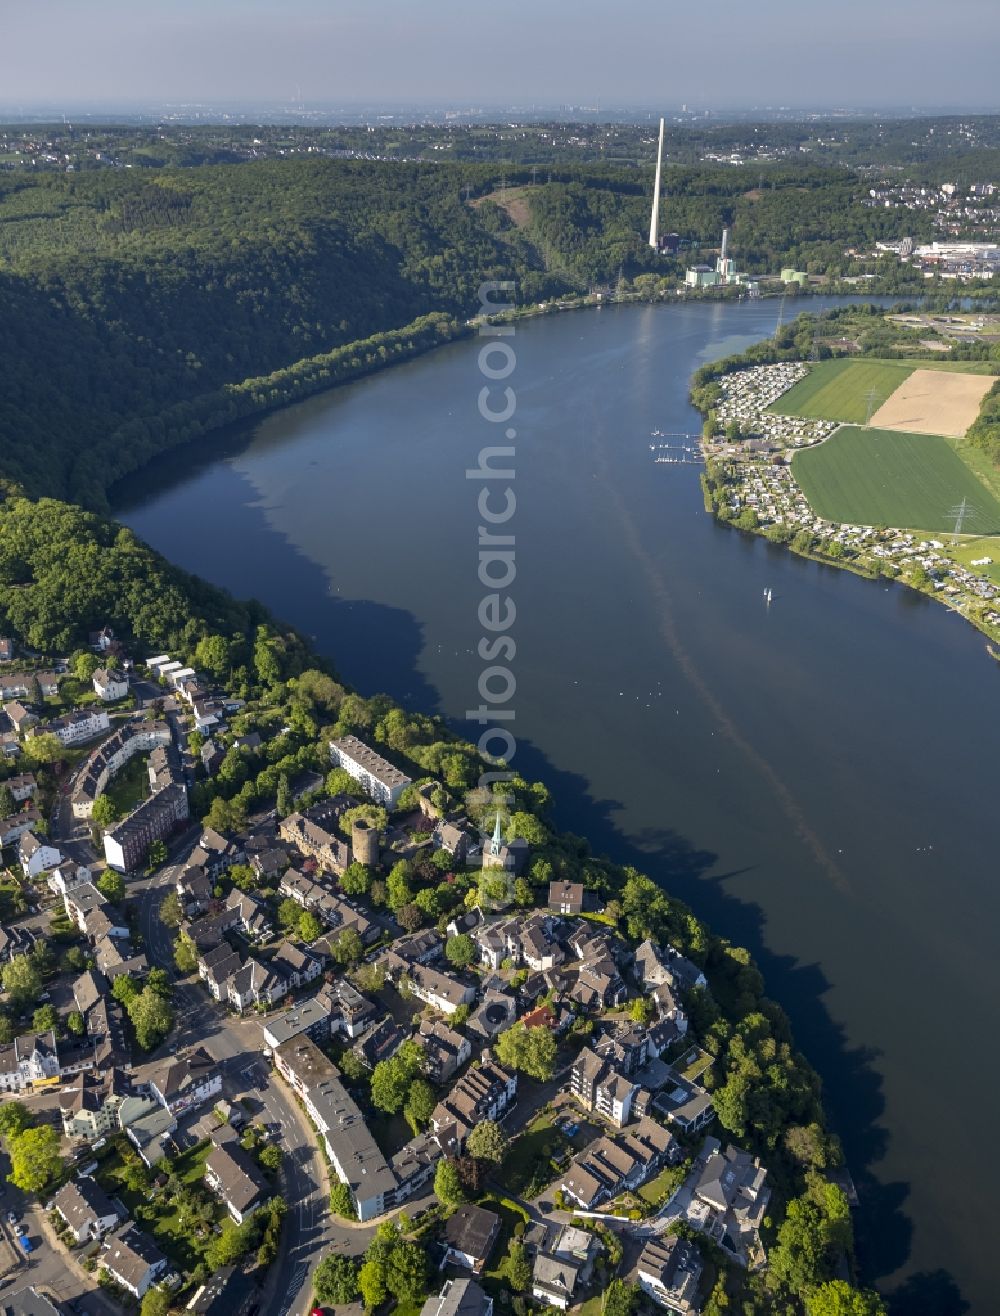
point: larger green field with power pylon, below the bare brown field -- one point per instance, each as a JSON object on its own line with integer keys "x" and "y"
{"x": 880, "y": 477}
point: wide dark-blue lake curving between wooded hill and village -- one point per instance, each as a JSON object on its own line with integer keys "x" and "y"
{"x": 818, "y": 780}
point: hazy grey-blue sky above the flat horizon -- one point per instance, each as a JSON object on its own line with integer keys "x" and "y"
{"x": 731, "y": 53}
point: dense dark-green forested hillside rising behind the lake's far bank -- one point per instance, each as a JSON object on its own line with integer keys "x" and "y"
{"x": 144, "y": 309}
